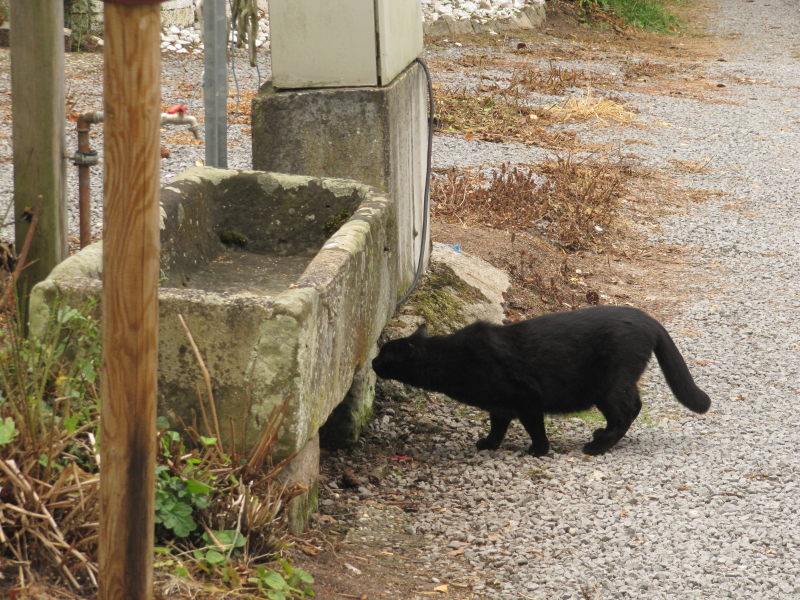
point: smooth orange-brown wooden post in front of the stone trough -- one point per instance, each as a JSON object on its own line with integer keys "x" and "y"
{"x": 130, "y": 298}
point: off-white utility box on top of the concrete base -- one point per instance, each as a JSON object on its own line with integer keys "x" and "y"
{"x": 342, "y": 43}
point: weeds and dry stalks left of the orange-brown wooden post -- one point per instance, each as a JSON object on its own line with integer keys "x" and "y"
{"x": 49, "y": 404}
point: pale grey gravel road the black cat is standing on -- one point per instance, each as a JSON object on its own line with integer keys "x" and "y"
{"x": 685, "y": 506}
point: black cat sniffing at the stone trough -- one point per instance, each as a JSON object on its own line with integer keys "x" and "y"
{"x": 557, "y": 363}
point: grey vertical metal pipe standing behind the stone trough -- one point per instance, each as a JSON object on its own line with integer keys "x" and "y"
{"x": 215, "y": 82}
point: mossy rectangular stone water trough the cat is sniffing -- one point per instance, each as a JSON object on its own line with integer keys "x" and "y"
{"x": 285, "y": 283}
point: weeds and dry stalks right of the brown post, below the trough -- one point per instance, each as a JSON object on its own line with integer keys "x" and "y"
{"x": 217, "y": 514}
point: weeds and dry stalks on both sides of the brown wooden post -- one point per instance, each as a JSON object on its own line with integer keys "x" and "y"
{"x": 216, "y": 514}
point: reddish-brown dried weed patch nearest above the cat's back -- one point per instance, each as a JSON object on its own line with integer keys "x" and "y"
{"x": 570, "y": 202}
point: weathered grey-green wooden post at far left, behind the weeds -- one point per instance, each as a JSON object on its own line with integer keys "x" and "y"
{"x": 37, "y": 97}
